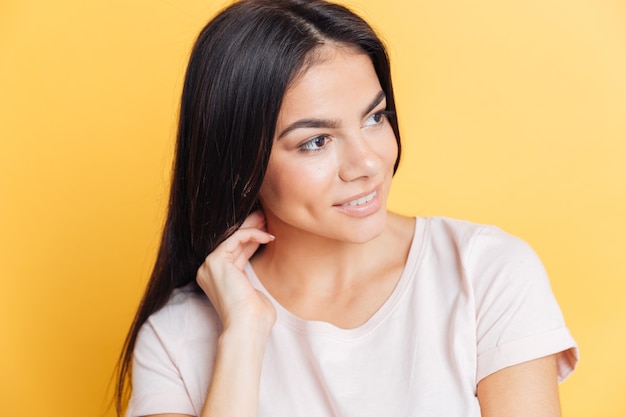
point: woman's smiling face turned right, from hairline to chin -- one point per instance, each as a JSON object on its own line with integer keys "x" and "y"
{"x": 334, "y": 151}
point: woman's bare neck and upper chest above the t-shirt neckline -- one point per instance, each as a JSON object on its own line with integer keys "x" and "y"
{"x": 340, "y": 282}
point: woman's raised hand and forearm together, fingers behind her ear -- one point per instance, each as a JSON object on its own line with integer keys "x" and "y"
{"x": 247, "y": 317}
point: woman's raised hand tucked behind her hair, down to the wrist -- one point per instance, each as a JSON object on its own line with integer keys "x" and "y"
{"x": 224, "y": 281}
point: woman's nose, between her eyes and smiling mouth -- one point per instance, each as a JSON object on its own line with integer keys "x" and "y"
{"x": 358, "y": 159}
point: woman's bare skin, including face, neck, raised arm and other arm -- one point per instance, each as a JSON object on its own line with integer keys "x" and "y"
{"x": 333, "y": 252}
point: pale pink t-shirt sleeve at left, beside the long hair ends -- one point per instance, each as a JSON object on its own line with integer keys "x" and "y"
{"x": 157, "y": 386}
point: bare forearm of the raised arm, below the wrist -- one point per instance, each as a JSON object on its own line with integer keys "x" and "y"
{"x": 234, "y": 388}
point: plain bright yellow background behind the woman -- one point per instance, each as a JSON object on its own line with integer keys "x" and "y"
{"x": 512, "y": 112}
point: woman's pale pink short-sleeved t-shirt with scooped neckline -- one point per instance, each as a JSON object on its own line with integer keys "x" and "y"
{"x": 471, "y": 301}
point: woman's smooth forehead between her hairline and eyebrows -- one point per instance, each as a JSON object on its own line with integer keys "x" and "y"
{"x": 334, "y": 75}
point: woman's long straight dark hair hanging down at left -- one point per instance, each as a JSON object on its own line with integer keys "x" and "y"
{"x": 239, "y": 70}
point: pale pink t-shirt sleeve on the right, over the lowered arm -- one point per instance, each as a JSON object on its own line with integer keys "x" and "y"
{"x": 517, "y": 317}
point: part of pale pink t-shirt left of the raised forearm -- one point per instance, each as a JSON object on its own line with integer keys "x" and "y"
{"x": 172, "y": 355}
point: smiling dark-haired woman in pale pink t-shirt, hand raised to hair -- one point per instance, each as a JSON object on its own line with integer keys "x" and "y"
{"x": 283, "y": 286}
